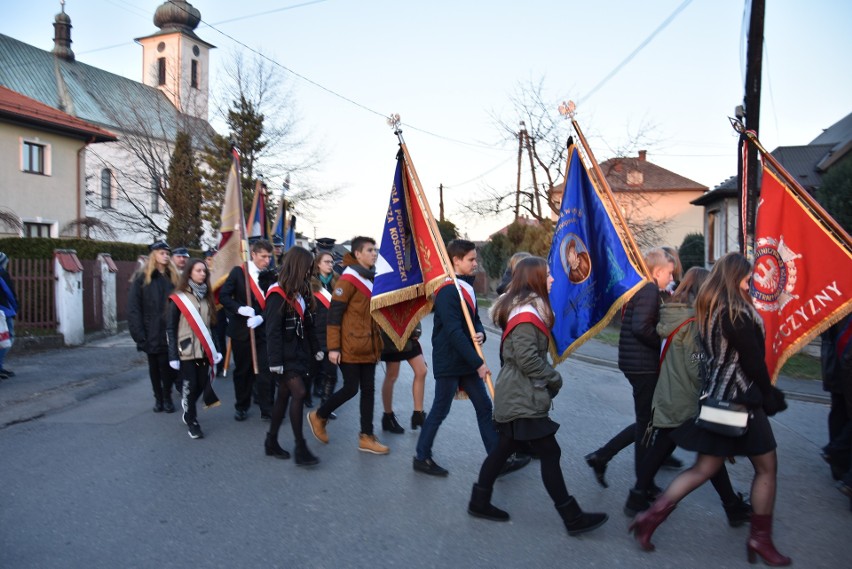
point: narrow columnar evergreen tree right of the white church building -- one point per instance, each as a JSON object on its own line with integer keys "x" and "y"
{"x": 183, "y": 195}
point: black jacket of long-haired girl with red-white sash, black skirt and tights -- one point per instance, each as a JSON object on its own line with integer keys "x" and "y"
{"x": 290, "y": 341}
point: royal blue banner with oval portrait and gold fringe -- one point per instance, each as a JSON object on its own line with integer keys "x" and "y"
{"x": 593, "y": 274}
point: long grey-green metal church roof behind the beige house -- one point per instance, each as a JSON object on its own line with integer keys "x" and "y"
{"x": 92, "y": 94}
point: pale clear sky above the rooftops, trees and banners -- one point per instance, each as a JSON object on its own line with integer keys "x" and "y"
{"x": 447, "y": 66}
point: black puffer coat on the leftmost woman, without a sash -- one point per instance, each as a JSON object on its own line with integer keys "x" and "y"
{"x": 146, "y": 312}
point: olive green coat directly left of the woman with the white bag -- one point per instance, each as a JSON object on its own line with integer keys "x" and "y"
{"x": 679, "y": 385}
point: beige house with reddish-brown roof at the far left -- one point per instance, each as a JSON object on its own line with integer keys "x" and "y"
{"x": 42, "y": 166}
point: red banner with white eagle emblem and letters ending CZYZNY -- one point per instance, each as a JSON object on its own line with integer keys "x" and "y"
{"x": 802, "y": 272}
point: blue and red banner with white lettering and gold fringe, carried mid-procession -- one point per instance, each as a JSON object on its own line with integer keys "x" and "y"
{"x": 408, "y": 268}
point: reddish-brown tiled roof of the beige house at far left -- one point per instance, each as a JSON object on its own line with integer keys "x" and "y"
{"x": 18, "y": 108}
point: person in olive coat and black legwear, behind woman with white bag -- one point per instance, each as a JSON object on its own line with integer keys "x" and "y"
{"x": 676, "y": 399}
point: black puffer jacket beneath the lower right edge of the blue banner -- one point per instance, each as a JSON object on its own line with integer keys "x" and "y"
{"x": 638, "y": 343}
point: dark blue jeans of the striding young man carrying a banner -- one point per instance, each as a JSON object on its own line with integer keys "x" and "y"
{"x": 445, "y": 390}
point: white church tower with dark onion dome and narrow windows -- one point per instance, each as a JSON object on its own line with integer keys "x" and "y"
{"x": 175, "y": 60}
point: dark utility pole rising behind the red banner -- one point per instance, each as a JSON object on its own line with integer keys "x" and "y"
{"x": 754, "y": 65}
